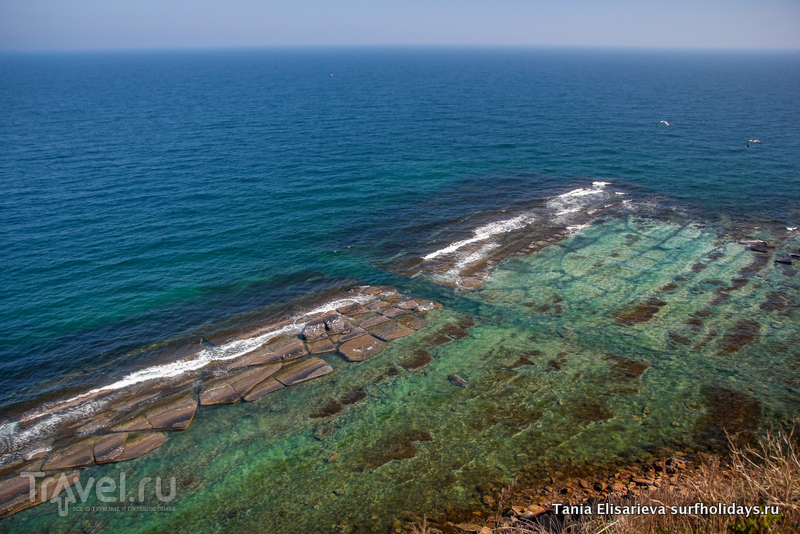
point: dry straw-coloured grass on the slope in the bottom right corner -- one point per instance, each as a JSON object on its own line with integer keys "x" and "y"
{"x": 765, "y": 475}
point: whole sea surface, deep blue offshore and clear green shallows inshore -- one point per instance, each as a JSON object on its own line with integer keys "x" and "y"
{"x": 151, "y": 199}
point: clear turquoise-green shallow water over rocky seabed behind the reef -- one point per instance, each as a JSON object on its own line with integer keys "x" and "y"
{"x": 636, "y": 336}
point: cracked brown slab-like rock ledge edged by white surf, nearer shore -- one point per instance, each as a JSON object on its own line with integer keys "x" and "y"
{"x": 135, "y": 422}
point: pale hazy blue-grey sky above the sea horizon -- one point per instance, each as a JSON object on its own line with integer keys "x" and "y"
{"x": 132, "y": 24}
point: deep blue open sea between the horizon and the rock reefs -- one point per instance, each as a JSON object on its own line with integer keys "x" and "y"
{"x": 150, "y": 197}
